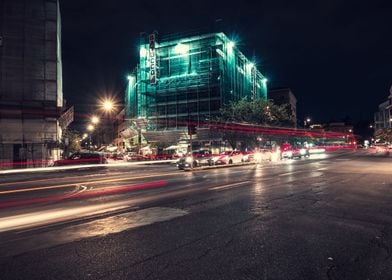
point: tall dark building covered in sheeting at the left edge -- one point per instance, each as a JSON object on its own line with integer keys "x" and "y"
{"x": 31, "y": 95}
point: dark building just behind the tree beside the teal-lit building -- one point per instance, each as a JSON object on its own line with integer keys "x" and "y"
{"x": 283, "y": 96}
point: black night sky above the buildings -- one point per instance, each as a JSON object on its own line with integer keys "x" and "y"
{"x": 335, "y": 55}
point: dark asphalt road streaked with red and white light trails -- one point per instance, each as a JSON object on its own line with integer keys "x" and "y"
{"x": 326, "y": 218}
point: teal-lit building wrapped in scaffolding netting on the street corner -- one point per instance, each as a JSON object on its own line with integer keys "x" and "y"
{"x": 182, "y": 80}
